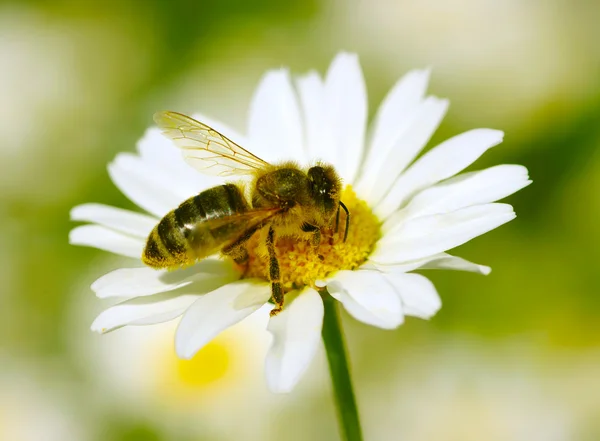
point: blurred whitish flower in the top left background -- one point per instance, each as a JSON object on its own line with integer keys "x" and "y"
{"x": 53, "y": 67}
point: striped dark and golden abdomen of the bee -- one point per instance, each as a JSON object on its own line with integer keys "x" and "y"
{"x": 184, "y": 234}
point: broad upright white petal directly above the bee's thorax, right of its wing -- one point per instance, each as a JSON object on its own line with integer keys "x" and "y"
{"x": 275, "y": 126}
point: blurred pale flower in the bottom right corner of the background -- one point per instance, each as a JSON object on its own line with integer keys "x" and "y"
{"x": 469, "y": 390}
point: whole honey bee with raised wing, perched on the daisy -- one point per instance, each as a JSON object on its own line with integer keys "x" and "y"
{"x": 283, "y": 200}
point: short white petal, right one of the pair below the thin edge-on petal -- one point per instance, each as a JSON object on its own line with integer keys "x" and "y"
{"x": 418, "y": 295}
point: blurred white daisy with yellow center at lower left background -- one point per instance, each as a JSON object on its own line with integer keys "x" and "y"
{"x": 137, "y": 373}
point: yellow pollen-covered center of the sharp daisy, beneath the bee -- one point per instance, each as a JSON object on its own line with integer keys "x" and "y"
{"x": 302, "y": 264}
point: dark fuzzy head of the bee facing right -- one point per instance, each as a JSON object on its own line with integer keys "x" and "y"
{"x": 324, "y": 187}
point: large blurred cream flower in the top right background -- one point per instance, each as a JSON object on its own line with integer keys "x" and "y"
{"x": 508, "y": 59}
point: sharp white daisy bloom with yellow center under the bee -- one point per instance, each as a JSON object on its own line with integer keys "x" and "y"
{"x": 406, "y": 211}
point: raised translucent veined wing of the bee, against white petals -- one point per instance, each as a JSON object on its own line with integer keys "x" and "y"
{"x": 205, "y": 149}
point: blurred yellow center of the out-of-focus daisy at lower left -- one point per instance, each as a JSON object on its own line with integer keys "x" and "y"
{"x": 209, "y": 364}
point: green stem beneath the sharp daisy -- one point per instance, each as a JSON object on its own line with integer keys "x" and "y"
{"x": 333, "y": 338}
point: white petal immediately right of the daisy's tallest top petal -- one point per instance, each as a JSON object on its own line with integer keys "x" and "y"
{"x": 397, "y": 107}
